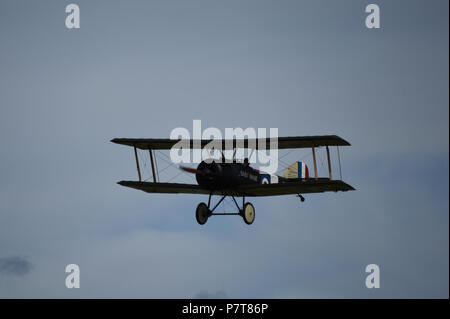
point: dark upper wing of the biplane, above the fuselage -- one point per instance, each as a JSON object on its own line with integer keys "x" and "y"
{"x": 283, "y": 142}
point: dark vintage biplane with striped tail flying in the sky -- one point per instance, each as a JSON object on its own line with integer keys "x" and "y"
{"x": 234, "y": 178}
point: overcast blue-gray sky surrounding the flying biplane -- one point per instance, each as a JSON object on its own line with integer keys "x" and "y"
{"x": 142, "y": 68}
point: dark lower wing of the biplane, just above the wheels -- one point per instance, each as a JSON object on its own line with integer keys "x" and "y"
{"x": 291, "y": 187}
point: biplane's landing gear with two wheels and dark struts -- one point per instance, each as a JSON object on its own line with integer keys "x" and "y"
{"x": 203, "y": 211}
